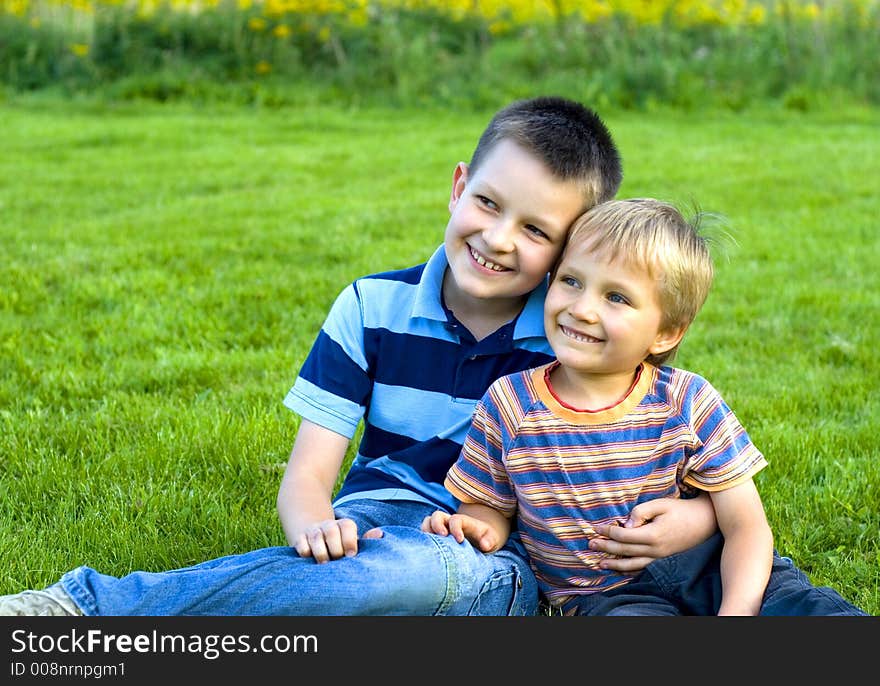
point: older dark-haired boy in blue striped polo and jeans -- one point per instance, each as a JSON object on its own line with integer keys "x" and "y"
{"x": 410, "y": 352}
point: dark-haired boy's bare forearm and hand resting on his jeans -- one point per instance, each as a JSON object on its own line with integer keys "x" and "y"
{"x": 304, "y": 497}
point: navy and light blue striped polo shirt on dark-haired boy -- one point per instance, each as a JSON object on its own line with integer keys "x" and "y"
{"x": 392, "y": 354}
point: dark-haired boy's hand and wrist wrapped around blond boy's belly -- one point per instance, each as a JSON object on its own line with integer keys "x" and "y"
{"x": 656, "y": 528}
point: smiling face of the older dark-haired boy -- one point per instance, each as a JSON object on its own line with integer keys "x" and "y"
{"x": 508, "y": 222}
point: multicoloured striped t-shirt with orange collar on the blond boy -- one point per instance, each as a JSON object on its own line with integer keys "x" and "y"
{"x": 563, "y": 471}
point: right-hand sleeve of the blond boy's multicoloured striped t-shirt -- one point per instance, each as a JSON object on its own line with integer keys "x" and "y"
{"x": 724, "y": 455}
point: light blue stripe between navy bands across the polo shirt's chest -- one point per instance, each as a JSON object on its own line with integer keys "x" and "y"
{"x": 420, "y": 414}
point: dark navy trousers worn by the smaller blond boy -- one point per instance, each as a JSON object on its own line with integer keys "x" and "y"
{"x": 689, "y": 583}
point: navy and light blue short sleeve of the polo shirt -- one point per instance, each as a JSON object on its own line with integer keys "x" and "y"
{"x": 334, "y": 386}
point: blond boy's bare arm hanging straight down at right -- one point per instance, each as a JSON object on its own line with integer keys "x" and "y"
{"x": 748, "y": 548}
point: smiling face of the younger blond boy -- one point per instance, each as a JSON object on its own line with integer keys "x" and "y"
{"x": 603, "y": 317}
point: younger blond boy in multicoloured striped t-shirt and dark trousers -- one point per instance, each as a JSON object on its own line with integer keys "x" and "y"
{"x": 573, "y": 446}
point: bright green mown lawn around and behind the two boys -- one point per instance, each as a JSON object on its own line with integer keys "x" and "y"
{"x": 165, "y": 269}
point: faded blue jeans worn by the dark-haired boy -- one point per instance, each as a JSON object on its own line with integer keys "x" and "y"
{"x": 406, "y": 572}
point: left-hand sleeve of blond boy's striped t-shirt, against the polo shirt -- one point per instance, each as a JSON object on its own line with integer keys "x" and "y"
{"x": 479, "y": 474}
